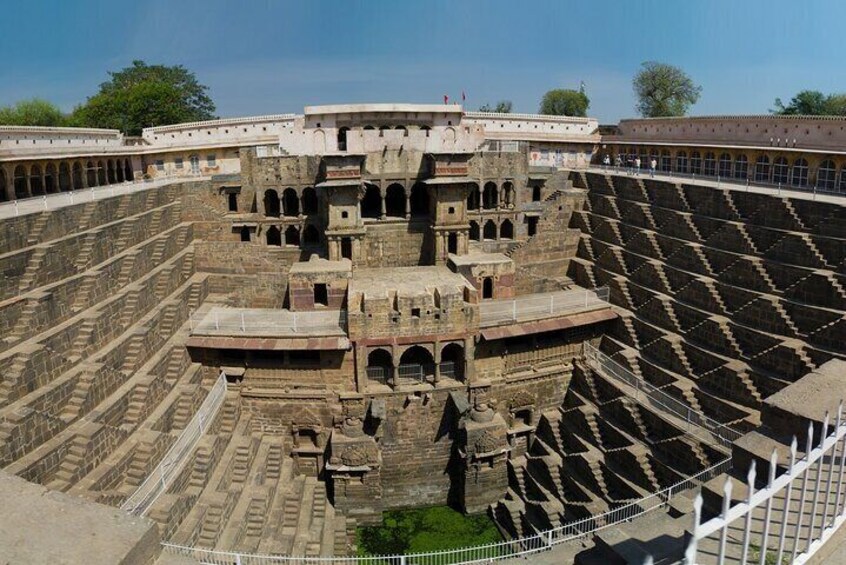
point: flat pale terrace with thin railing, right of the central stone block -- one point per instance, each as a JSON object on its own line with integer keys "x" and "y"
{"x": 538, "y": 306}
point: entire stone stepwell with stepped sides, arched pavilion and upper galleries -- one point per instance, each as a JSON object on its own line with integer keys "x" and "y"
{"x": 252, "y": 335}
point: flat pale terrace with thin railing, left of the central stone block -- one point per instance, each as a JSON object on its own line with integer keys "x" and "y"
{"x": 266, "y": 321}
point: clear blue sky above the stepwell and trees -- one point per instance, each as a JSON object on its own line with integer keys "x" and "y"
{"x": 269, "y": 56}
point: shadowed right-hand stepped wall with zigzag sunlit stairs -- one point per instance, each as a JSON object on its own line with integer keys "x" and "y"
{"x": 728, "y": 296}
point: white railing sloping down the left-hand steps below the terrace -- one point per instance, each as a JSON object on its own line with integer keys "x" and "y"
{"x": 160, "y": 478}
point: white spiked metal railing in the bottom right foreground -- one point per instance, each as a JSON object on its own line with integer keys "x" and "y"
{"x": 809, "y": 500}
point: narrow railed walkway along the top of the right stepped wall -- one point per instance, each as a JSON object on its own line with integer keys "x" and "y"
{"x": 729, "y": 183}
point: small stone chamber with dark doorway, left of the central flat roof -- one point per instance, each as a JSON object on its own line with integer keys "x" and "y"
{"x": 318, "y": 284}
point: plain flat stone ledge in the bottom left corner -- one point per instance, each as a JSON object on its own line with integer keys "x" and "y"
{"x": 44, "y": 526}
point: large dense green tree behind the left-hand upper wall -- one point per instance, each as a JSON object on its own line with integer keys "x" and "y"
{"x": 144, "y": 95}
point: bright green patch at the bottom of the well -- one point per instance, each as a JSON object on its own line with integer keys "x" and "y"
{"x": 423, "y": 530}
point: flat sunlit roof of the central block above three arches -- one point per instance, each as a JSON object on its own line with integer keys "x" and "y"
{"x": 405, "y": 281}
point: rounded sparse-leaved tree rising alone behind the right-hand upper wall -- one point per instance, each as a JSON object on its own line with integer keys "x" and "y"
{"x": 663, "y": 90}
